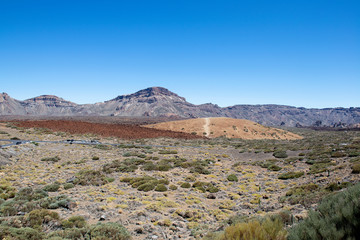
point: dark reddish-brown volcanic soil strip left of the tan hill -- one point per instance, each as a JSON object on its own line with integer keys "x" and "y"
{"x": 102, "y": 129}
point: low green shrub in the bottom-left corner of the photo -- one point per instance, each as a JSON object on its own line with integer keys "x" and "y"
{"x": 23, "y": 233}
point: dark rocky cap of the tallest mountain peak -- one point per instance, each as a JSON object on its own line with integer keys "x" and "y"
{"x": 150, "y": 92}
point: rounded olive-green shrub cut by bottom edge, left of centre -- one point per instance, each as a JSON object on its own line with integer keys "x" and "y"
{"x": 109, "y": 231}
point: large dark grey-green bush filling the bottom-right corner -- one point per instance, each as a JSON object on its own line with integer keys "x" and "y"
{"x": 337, "y": 217}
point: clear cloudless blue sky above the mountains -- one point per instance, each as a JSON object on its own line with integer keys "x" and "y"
{"x": 299, "y": 52}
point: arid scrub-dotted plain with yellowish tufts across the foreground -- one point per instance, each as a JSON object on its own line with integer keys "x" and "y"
{"x": 170, "y": 187}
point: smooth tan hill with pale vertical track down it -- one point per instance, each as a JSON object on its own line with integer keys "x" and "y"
{"x": 228, "y": 127}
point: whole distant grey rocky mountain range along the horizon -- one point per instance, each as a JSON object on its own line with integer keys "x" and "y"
{"x": 160, "y": 102}
